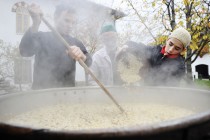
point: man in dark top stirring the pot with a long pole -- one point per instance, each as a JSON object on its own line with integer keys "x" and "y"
{"x": 54, "y": 65}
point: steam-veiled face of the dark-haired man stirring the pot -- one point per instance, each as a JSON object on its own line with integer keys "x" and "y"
{"x": 65, "y": 22}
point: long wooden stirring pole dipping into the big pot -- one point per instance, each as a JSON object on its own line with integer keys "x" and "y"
{"x": 81, "y": 62}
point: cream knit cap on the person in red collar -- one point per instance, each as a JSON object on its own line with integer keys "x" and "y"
{"x": 182, "y": 35}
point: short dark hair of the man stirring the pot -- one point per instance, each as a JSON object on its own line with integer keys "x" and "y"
{"x": 63, "y": 7}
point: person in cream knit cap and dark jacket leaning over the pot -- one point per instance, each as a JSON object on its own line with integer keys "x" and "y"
{"x": 163, "y": 65}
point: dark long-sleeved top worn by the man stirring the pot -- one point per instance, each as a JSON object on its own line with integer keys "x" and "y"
{"x": 52, "y": 66}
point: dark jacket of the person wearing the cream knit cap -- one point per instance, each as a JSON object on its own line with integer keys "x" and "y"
{"x": 156, "y": 70}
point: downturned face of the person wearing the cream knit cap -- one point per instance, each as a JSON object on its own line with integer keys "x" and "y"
{"x": 174, "y": 46}
